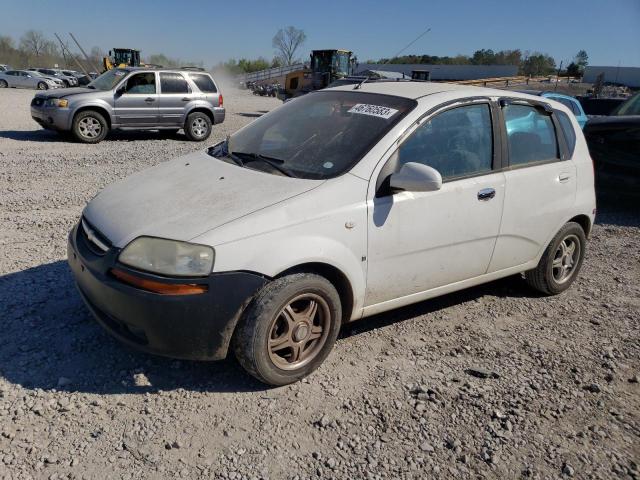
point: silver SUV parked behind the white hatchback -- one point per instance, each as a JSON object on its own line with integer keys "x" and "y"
{"x": 134, "y": 98}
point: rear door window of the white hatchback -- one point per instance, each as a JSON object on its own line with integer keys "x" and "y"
{"x": 531, "y": 135}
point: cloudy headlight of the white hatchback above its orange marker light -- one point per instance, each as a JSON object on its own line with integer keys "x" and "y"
{"x": 168, "y": 257}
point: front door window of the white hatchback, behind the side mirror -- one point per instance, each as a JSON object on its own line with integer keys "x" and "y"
{"x": 457, "y": 142}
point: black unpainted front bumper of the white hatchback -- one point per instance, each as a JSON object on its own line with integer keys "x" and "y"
{"x": 193, "y": 327}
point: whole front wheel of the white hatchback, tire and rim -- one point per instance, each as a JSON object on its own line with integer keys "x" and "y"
{"x": 289, "y": 328}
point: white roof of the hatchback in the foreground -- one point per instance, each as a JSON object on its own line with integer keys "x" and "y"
{"x": 415, "y": 90}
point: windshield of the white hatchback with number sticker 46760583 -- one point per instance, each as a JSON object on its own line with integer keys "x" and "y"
{"x": 317, "y": 136}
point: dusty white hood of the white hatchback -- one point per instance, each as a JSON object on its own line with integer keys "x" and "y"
{"x": 186, "y": 197}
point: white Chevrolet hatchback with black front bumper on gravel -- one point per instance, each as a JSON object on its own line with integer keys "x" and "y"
{"x": 335, "y": 206}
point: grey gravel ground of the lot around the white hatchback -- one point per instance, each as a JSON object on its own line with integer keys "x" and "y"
{"x": 492, "y": 382}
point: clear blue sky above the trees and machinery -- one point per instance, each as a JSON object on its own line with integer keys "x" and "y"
{"x": 214, "y": 31}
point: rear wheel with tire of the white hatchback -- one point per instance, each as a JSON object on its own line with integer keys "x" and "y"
{"x": 560, "y": 262}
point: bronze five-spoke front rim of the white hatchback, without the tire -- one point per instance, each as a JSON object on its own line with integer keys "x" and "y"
{"x": 299, "y": 331}
